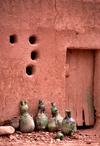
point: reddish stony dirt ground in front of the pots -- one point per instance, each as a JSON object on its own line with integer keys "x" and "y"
{"x": 81, "y": 137}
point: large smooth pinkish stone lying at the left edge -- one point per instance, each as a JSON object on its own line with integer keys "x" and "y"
{"x": 6, "y": 130}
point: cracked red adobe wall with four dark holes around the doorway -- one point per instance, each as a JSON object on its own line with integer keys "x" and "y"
{"x": 56, "y": 25}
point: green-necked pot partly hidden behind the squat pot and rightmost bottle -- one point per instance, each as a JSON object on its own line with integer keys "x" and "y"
{"x": 55, "y": 113}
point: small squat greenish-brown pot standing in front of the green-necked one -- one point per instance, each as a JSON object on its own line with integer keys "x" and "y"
{"x": 52, "y": 125}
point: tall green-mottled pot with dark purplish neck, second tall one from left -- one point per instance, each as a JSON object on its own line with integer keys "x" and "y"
{"x": 41, "y": 120}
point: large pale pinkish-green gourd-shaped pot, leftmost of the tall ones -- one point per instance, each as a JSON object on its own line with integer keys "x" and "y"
{"x": 26, "y": 121}
